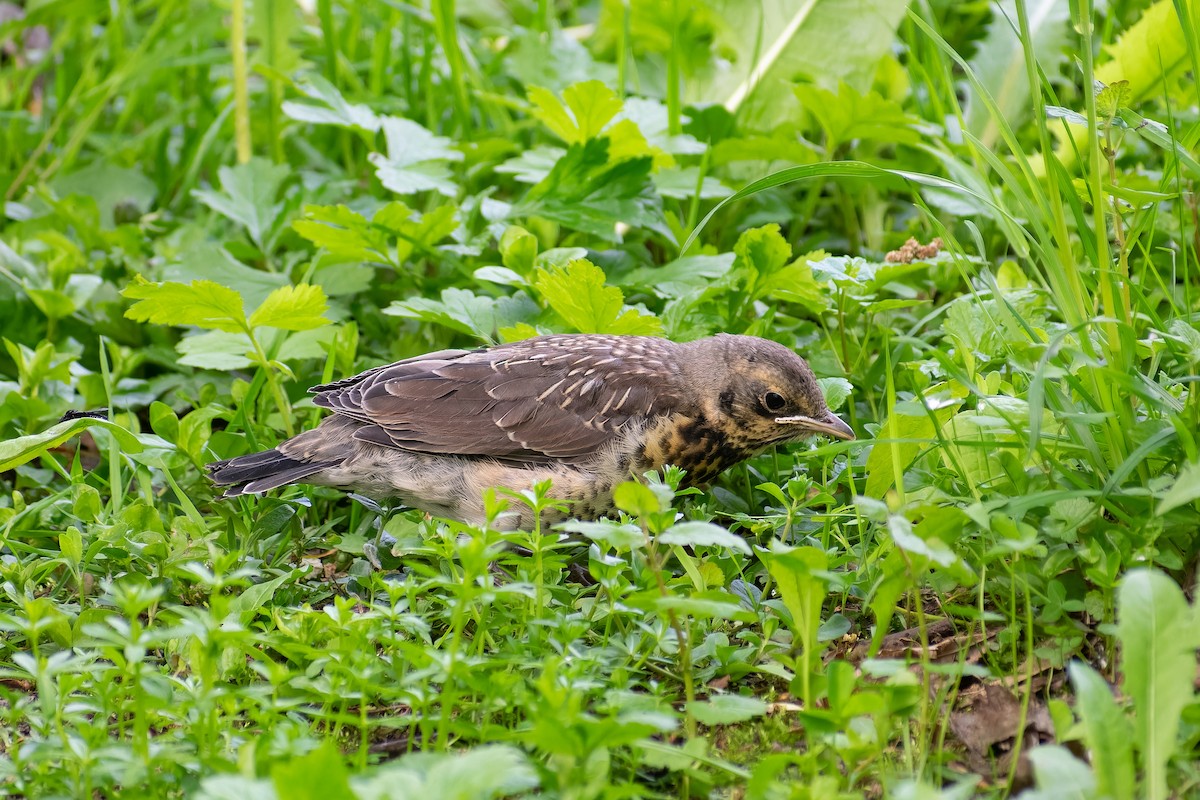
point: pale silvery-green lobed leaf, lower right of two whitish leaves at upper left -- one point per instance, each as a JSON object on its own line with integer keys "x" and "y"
{"x": 417, "y": 161}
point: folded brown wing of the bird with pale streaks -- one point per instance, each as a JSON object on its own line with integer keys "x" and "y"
{"x": 554, "y": 398}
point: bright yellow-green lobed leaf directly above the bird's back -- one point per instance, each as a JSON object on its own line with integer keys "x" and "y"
{"x": 578, "y": 294}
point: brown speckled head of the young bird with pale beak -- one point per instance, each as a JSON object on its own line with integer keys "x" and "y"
{"x": 761, "y": 392}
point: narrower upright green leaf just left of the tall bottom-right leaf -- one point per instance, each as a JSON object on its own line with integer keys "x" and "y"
{"x": 1107, "y": 732}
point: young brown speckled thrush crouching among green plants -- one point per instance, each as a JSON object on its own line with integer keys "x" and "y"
{"x": 586, "y": 412}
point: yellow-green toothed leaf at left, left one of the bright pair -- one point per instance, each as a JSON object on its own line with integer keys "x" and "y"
{"x": 201, "y": 303}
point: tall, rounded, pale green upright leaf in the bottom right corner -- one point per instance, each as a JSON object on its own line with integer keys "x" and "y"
{"x": 1159, "y": 639}
